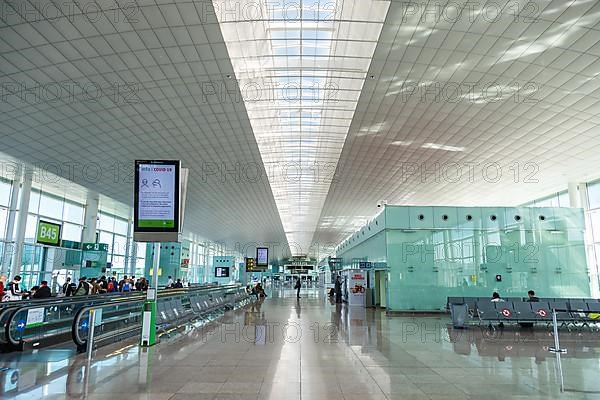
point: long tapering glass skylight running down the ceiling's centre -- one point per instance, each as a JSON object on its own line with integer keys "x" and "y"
{"x": 305, "y": 62}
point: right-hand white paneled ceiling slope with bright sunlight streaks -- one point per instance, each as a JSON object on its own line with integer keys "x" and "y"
{"x": 496, "y": 107}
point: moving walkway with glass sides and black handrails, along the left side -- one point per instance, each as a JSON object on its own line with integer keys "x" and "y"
{"x": 40, "y": 323}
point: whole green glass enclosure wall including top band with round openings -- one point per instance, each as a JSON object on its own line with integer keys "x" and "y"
{"x": 436, "y": 252}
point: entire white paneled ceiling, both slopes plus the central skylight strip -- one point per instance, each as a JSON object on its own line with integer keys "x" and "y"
{"x": 495, "y": 105}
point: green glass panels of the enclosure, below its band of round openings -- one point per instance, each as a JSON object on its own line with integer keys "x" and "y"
{"x": 428, "y": 265}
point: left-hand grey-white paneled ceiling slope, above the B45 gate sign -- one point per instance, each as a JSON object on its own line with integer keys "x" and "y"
{"x": 85, "y": 95}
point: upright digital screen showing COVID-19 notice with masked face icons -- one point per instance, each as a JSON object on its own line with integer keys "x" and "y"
{"x": 157, "y": 196}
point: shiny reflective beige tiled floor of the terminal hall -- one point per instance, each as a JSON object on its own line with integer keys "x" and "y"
{"x": 284, "y": 348}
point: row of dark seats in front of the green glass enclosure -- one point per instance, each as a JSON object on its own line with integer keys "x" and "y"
{"x": 570, "y": 312}
